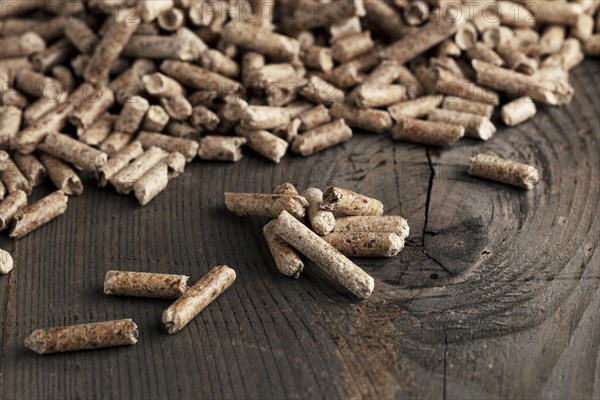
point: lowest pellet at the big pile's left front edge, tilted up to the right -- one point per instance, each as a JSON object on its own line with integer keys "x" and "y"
{"x": 39, "y": 213}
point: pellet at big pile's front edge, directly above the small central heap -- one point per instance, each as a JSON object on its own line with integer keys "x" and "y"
{"x": 321, "y": 138}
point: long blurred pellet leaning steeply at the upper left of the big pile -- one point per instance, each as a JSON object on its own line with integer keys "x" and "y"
{"x": 119, "y": 30}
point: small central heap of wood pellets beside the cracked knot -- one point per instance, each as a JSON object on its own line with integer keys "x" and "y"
{"x": 325, "y": 227}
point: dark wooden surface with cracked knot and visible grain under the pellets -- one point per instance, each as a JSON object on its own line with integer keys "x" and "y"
{"x": 495, "y": 296}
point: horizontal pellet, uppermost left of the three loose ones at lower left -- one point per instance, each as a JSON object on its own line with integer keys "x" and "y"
{"x": 145, "y": 284}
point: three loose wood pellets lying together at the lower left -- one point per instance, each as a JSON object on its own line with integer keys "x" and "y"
{"x": 190, "y": 301}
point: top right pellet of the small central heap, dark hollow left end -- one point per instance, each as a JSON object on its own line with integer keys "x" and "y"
{"x": 347, "y": 202}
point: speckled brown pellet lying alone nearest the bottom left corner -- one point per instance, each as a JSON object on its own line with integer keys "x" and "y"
{"x": 83, "y": 337}
